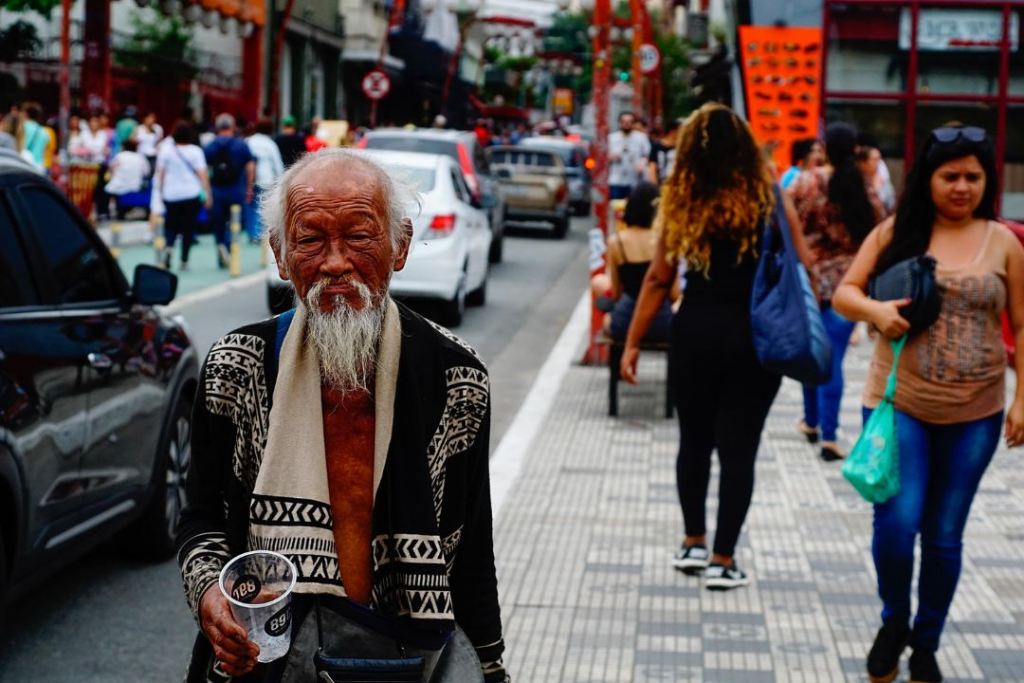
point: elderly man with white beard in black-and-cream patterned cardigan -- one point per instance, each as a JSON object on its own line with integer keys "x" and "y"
{"x": 352, "y": 437}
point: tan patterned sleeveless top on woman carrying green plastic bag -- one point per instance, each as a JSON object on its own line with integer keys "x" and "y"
{"x": 956, "y": 370}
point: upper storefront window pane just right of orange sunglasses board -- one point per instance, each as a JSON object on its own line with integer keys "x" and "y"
{"x": 863, "y": 51}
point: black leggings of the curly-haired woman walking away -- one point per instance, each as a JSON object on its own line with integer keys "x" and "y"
{"x": 723, "y": 400}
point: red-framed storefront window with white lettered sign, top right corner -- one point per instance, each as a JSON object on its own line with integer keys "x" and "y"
{"x": 958, "y": 50}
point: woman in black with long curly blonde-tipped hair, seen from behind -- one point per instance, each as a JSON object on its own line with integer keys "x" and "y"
{"x": 713, "y": 210}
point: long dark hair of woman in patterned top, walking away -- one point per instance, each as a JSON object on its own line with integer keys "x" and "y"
{"x": 847, "y": 189}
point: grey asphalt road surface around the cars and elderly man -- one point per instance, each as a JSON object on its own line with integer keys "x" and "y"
{"x": 112, "y": 620}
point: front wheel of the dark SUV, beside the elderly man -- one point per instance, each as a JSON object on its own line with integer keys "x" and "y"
{"x": 153, "y": 535}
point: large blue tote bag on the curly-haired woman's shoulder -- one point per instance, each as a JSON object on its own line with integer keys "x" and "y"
{"x": 789, "y": 335}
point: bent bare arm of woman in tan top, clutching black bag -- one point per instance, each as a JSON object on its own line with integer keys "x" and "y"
{"x": 851, "y": 301}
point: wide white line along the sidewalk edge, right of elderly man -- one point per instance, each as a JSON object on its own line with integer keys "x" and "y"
{"x": 507, "y": 461}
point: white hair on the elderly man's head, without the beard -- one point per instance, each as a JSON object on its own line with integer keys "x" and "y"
{"x": 399, "y": 194}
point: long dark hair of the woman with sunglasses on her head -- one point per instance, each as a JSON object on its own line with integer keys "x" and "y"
{"x": 916, "y": 214}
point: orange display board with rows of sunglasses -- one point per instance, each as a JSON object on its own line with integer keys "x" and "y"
{"x": 783, "y": 78}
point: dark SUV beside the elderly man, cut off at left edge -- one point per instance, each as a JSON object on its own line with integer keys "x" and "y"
{"x": 97, "y": 388}
